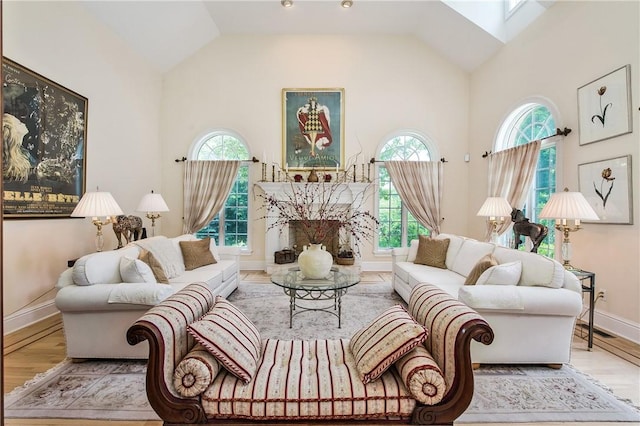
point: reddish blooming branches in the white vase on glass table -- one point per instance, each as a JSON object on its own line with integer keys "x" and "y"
{"x": 317, "y": 209}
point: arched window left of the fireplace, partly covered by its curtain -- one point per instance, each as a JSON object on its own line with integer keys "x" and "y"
{"x": 230, "y": 226}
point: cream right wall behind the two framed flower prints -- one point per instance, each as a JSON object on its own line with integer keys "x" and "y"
{"x": 569, "y": 46}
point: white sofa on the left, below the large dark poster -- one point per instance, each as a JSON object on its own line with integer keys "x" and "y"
{"x": 98, "y": 306}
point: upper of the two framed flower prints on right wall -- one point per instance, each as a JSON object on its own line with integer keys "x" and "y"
{"x": 604, "y": 106}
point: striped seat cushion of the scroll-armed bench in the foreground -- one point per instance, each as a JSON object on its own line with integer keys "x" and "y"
{"x": 306, "y": 380}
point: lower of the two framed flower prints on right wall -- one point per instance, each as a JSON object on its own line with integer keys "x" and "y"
{"x": 607, "y": 187}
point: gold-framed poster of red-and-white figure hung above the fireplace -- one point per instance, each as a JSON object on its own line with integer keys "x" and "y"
{"x": 313, "y": 129}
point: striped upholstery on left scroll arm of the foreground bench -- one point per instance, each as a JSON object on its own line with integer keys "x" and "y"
{"x": 171, "y": 318}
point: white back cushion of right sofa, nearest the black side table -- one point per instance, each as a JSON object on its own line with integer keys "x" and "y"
{"x": 537, "y": 270}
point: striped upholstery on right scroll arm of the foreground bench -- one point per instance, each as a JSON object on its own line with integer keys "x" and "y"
{"x": 444, "y": 317}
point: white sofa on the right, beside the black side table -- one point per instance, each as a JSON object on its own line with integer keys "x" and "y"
{"x": 532, "y": 318}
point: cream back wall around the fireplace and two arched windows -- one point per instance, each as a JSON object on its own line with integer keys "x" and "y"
{"x": 390, "y": 83}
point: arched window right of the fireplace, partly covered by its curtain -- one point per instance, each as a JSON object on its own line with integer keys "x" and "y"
{"x": 397, "y": 226}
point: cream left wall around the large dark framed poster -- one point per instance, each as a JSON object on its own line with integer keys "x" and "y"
{"x": 62, "y": 42}
